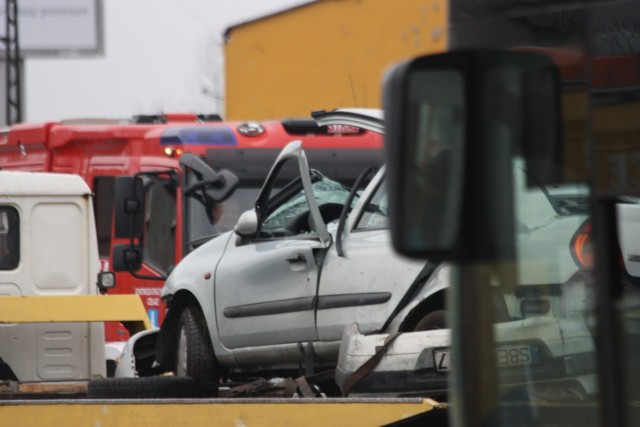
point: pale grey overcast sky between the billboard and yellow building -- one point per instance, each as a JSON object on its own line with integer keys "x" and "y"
{"x": 159, "y": 56}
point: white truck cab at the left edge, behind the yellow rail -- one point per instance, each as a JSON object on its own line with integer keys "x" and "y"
{"x": 48, "y": 247}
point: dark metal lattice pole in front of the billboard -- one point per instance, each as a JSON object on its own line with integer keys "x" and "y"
{"x": 12, "y": 58}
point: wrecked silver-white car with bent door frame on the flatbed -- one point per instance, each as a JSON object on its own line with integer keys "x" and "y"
{"x": 275, "y": 295}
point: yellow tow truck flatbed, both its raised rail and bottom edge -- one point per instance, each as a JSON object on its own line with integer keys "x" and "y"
{"x": 54, "y": 404}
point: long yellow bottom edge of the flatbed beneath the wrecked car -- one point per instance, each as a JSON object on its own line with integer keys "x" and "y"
{"x": 221, "y": 411}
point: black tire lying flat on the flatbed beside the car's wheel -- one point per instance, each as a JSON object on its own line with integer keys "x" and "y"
{"x": 145, "y": 387}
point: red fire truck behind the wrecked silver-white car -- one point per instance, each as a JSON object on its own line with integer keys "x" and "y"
{"x": 178, "y": 156}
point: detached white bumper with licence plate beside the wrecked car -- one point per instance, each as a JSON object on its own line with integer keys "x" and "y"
{"x": 561, "y": 357}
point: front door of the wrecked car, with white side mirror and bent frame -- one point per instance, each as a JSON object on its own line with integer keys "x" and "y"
{"x": 266, "y": 282}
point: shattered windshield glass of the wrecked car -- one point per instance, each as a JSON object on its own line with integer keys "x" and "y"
{"x": 325, "y": 191}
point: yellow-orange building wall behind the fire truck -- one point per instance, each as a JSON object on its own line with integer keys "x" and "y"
{"x": 324, "y": 55}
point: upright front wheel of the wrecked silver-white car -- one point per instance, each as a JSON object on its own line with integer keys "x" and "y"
{"x": 194, "y": 352}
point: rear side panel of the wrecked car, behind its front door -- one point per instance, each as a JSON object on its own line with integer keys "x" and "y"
{"x": 366, "y": 280}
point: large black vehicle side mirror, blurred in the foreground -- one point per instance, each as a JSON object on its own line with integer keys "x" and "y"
{"x": 453, "y": 122}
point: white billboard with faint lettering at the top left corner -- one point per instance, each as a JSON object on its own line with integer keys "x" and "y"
{"x": 56, "y": 27}
